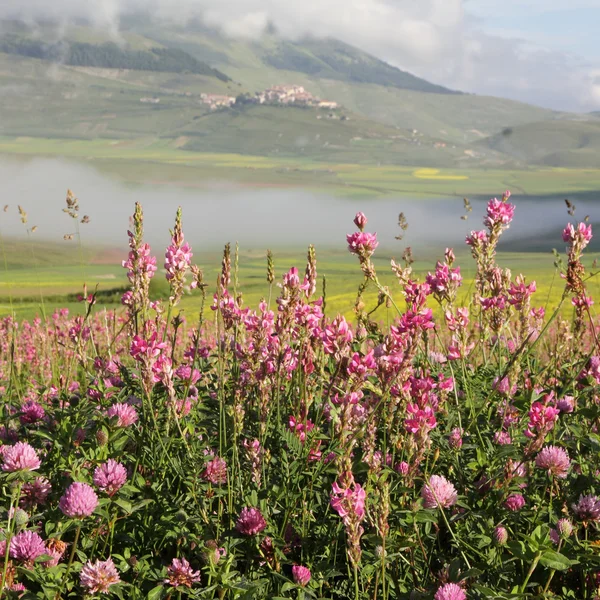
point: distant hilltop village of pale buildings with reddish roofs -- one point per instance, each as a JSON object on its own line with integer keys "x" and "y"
{"x": 292, "y": 95}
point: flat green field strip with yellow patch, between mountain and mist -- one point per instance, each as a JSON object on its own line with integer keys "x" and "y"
{"x": 161, "y": 162}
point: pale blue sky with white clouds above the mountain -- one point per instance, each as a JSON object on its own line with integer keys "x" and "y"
{"x": 545, "y": 52}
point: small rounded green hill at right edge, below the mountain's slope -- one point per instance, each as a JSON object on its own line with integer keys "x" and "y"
{"x": 551, "y": 143}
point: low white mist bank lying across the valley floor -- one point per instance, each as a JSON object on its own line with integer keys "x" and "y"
{"x": 256, "y": 218}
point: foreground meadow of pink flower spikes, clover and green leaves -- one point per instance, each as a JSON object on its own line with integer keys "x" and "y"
{"x": 277, "y": 453}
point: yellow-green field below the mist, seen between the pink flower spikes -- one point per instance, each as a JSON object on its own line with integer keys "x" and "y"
{"x": 33, "y": 287}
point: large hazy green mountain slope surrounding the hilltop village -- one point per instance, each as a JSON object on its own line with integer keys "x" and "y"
{"x": 151, "y": 81}
